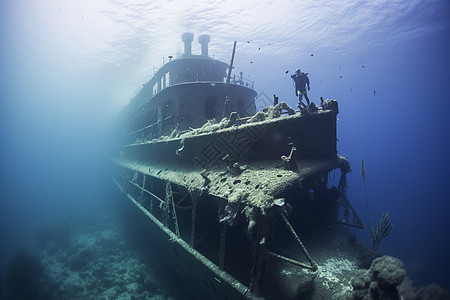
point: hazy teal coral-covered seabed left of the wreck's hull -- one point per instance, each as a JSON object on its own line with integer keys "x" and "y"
{"x": 98, "y": 264}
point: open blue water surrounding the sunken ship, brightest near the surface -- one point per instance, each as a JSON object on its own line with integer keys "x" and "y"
{"x": 68, "y": 67}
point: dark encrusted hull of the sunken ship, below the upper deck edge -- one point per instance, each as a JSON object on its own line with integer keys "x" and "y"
{"x": 216, "y": 197}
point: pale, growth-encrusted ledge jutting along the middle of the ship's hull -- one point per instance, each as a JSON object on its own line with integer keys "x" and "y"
{"x": 259, "y": 184}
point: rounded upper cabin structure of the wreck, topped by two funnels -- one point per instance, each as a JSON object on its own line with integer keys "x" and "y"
{"x": 185, "y": 93}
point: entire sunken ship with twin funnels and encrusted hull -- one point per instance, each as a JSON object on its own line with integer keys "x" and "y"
{"x": 229, "y": 192}
